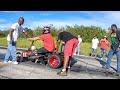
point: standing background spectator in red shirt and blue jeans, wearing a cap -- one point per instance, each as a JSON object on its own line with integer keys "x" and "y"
{"x": 104, "y": 47}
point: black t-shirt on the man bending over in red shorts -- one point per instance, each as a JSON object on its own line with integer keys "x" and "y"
{"x": 65, "y": 36}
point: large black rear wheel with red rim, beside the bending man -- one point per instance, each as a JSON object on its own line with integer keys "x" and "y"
{"x": 54, "y": 61}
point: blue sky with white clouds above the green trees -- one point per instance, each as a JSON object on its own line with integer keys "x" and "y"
{"x": 33, "y": 19}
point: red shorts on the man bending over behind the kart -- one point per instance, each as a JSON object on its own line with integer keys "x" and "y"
{"x": 70, "y": 47}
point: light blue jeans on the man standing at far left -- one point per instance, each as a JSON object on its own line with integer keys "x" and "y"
{"x": 11, "y": 51}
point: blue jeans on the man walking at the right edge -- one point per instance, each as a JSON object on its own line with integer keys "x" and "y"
{"x": 110, "y": 55}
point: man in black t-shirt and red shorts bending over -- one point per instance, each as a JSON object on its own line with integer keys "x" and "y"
{"x": 71, "y": 43}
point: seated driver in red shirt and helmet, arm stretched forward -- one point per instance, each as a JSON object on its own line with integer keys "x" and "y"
{"x": 48, "y": 41}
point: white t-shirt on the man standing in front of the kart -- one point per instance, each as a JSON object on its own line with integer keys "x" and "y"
{"x": 17, "y": 30}
